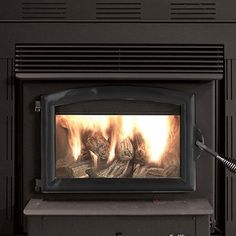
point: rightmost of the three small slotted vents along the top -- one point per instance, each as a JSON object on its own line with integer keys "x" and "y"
{"x": 192, "y": 10}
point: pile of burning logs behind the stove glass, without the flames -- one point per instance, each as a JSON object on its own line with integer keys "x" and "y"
{"x": 130, "y": 160}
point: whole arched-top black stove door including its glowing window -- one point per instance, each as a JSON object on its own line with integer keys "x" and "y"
{"x": 117, "y": 138}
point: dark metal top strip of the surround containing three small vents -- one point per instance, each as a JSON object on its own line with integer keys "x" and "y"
{"x": 87, "y": 10}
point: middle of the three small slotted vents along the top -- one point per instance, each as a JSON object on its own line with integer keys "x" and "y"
{"x": 118, "y": 10}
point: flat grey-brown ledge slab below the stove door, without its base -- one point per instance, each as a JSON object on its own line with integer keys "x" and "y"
{"x": 39, "y": 207}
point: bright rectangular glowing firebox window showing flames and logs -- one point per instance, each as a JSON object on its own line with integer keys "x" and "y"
{"x": 117, "y": 146}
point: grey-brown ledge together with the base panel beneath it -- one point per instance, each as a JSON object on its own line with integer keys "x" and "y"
{"x": 118, "y": 218}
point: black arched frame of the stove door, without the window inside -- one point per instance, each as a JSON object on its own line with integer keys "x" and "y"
{"x": 48, "y": 104}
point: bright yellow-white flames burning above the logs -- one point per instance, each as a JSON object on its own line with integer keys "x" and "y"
{"x": 157, "y": 131}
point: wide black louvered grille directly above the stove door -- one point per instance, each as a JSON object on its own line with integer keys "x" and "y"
{"x": 119, "y": 58}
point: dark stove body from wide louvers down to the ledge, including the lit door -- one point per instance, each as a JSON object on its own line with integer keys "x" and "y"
{"x": 114, "y": 121}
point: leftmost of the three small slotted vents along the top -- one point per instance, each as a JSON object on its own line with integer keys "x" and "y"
{"x": 44, "y": 10}
